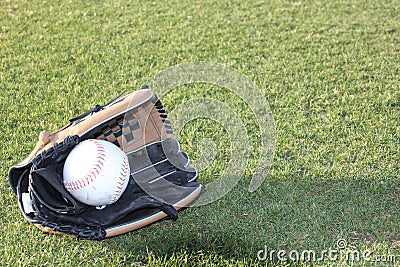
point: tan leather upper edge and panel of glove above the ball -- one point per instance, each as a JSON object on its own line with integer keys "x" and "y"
{"x": 138, "y": 108}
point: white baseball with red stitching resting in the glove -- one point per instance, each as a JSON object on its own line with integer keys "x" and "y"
{"x": 96, "y": 172}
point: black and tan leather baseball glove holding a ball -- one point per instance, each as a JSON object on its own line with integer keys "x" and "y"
{"x": 161, "y": 182}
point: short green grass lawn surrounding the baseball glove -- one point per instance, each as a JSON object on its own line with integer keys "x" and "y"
{"x": 330, "y": 71}
